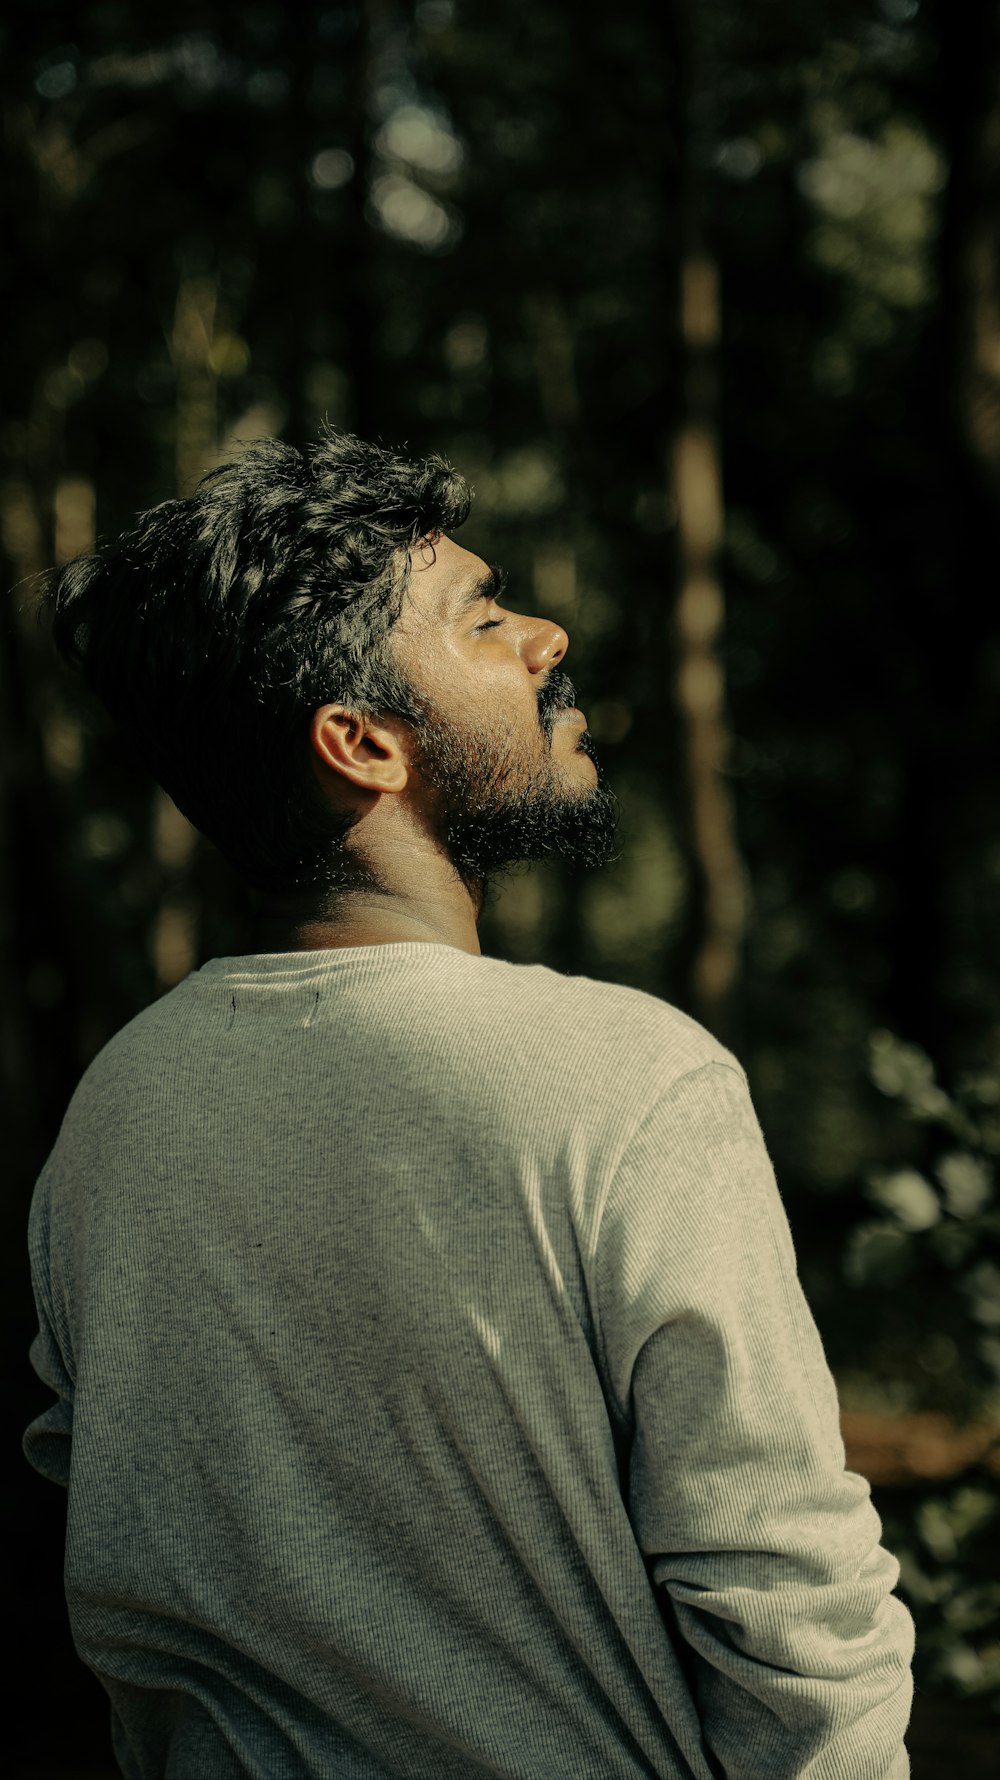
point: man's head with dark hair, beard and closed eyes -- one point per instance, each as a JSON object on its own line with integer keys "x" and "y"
{"x": 302, "y": 638}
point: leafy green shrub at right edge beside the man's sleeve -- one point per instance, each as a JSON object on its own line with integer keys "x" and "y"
{"x": 937, "y": 1242}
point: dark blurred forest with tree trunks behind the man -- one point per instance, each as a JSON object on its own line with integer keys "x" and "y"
{"x": 704, "y": 296}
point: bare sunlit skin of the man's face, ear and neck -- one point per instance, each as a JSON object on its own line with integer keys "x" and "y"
{"x": 472, "y": 663}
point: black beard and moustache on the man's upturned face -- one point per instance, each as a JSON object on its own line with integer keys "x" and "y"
{"x": 501, "y": 802}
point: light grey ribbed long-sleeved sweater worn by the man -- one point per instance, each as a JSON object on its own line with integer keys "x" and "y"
{"x": 439, "y": 1400}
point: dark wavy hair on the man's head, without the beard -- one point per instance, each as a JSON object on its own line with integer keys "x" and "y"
{"x": 220, "y": 624}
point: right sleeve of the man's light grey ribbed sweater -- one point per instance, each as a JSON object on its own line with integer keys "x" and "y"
{"x": 762, "y": 1548}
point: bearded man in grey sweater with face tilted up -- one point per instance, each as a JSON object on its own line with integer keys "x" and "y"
{"x": 435, "y": 1389}
